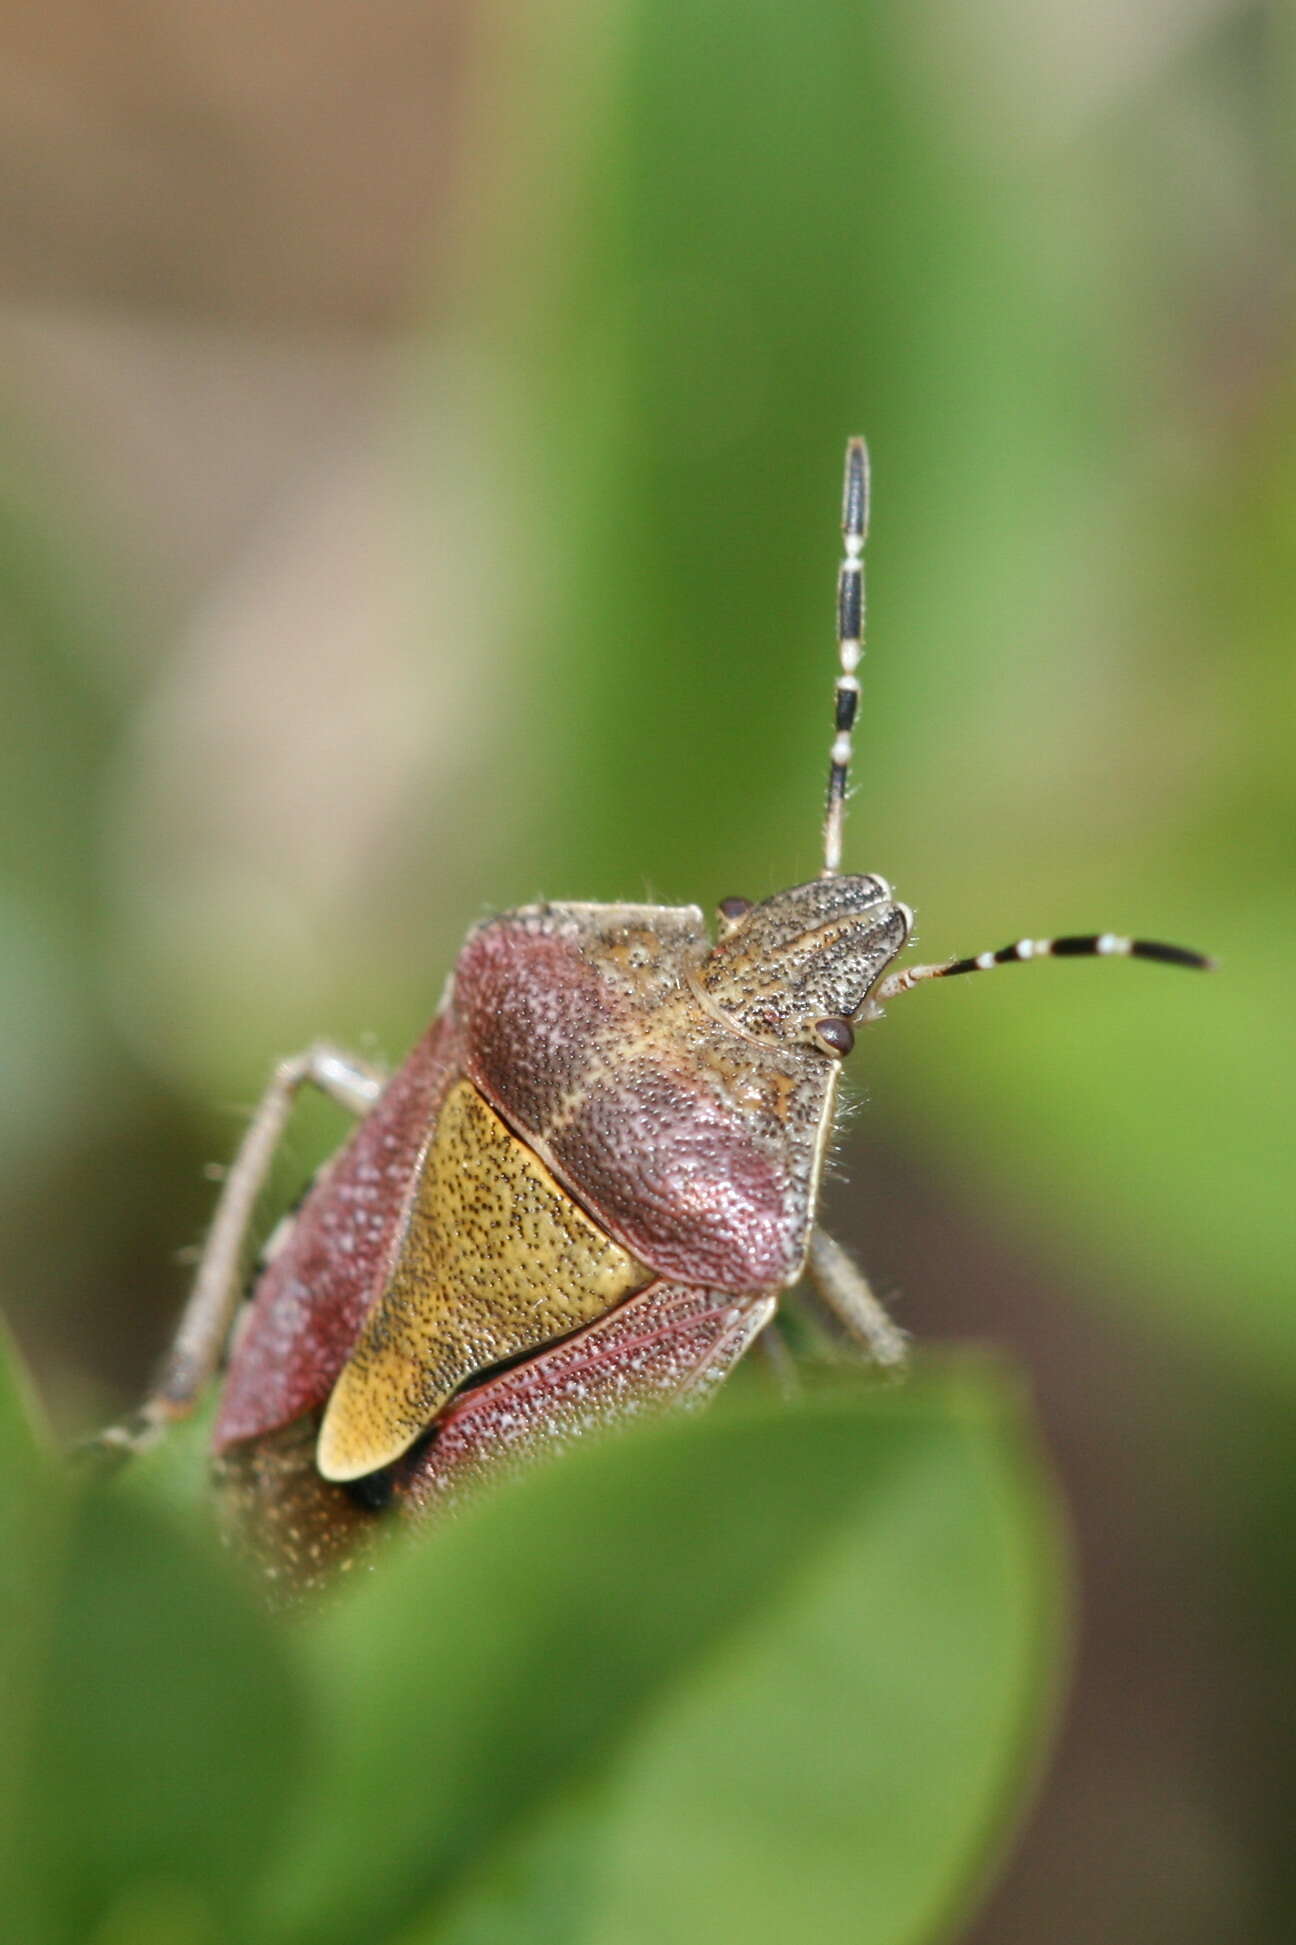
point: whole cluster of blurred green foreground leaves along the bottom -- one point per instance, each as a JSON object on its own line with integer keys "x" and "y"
{"x": 766, "y": 1670}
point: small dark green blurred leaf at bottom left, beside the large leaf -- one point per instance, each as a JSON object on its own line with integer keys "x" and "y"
{"x": 166, "y": 1734}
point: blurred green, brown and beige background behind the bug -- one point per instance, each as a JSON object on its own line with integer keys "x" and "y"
{"x": 419, "y": 481}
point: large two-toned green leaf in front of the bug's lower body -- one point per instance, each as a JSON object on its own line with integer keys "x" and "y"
{"x": 756, "y": 1631}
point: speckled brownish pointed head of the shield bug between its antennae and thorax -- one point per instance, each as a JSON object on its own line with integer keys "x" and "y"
{"x": 801, "y": 966}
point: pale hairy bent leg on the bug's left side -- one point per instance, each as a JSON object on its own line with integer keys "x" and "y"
{"x": 207, "y": 1316}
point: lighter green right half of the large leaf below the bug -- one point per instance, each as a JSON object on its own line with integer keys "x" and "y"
{"x": 859, "y": 1755}
